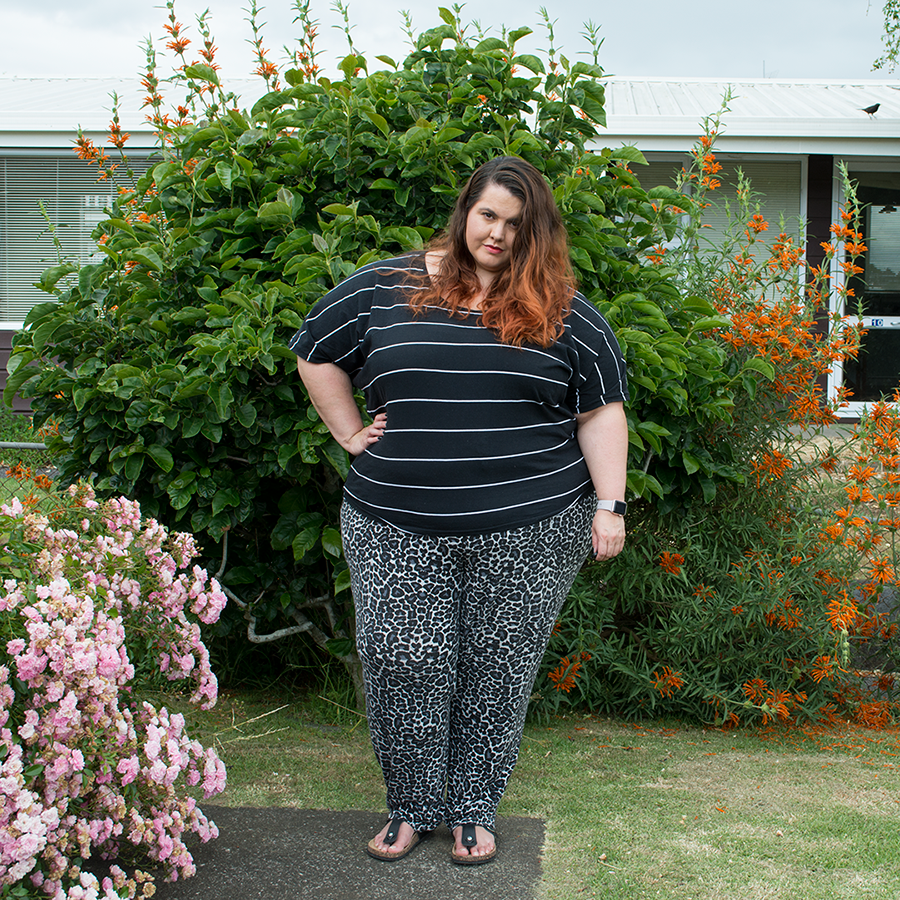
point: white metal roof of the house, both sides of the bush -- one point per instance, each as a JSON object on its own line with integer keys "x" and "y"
{"x": 766, "y": 115}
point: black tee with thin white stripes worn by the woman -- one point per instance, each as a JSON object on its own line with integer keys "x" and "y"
{"x": 480, "y": 435}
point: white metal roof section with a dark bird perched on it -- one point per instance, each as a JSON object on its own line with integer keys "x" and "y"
{"x": 765, "y": 115}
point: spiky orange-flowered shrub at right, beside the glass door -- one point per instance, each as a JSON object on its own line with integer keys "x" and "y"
{"x": 776, "y": 599}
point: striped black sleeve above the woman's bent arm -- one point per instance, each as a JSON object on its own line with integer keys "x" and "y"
{"x": 335, "y": 329}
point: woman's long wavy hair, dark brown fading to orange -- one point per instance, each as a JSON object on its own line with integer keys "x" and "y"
{"x": 527, "y": 301}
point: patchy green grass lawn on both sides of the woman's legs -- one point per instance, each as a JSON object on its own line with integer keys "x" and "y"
{"x": 631, "y": 812}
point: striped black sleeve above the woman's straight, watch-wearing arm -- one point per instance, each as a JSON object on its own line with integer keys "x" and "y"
{"x": 601, "y": 377}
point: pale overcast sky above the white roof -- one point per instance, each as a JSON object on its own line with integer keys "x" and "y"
{"x": 833, "y": 39}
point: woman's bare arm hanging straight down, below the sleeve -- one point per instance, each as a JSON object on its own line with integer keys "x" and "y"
{"x": 603, "y": 438}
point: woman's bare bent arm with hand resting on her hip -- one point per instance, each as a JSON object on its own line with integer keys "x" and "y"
{"x": 331, "y": 393}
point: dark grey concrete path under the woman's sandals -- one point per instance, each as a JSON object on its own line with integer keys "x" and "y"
{"x": 296, "y": 854}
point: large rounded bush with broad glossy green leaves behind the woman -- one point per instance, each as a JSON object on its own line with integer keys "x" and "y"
{"x": 166, "y": 365}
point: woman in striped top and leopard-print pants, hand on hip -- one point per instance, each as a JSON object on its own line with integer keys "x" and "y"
{"x": 497, "y": 394}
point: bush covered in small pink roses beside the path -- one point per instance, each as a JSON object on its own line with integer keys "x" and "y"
{"x": 87, "y": 770}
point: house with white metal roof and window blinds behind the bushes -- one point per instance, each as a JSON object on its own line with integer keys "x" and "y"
{"x": 787, "y": 136}
